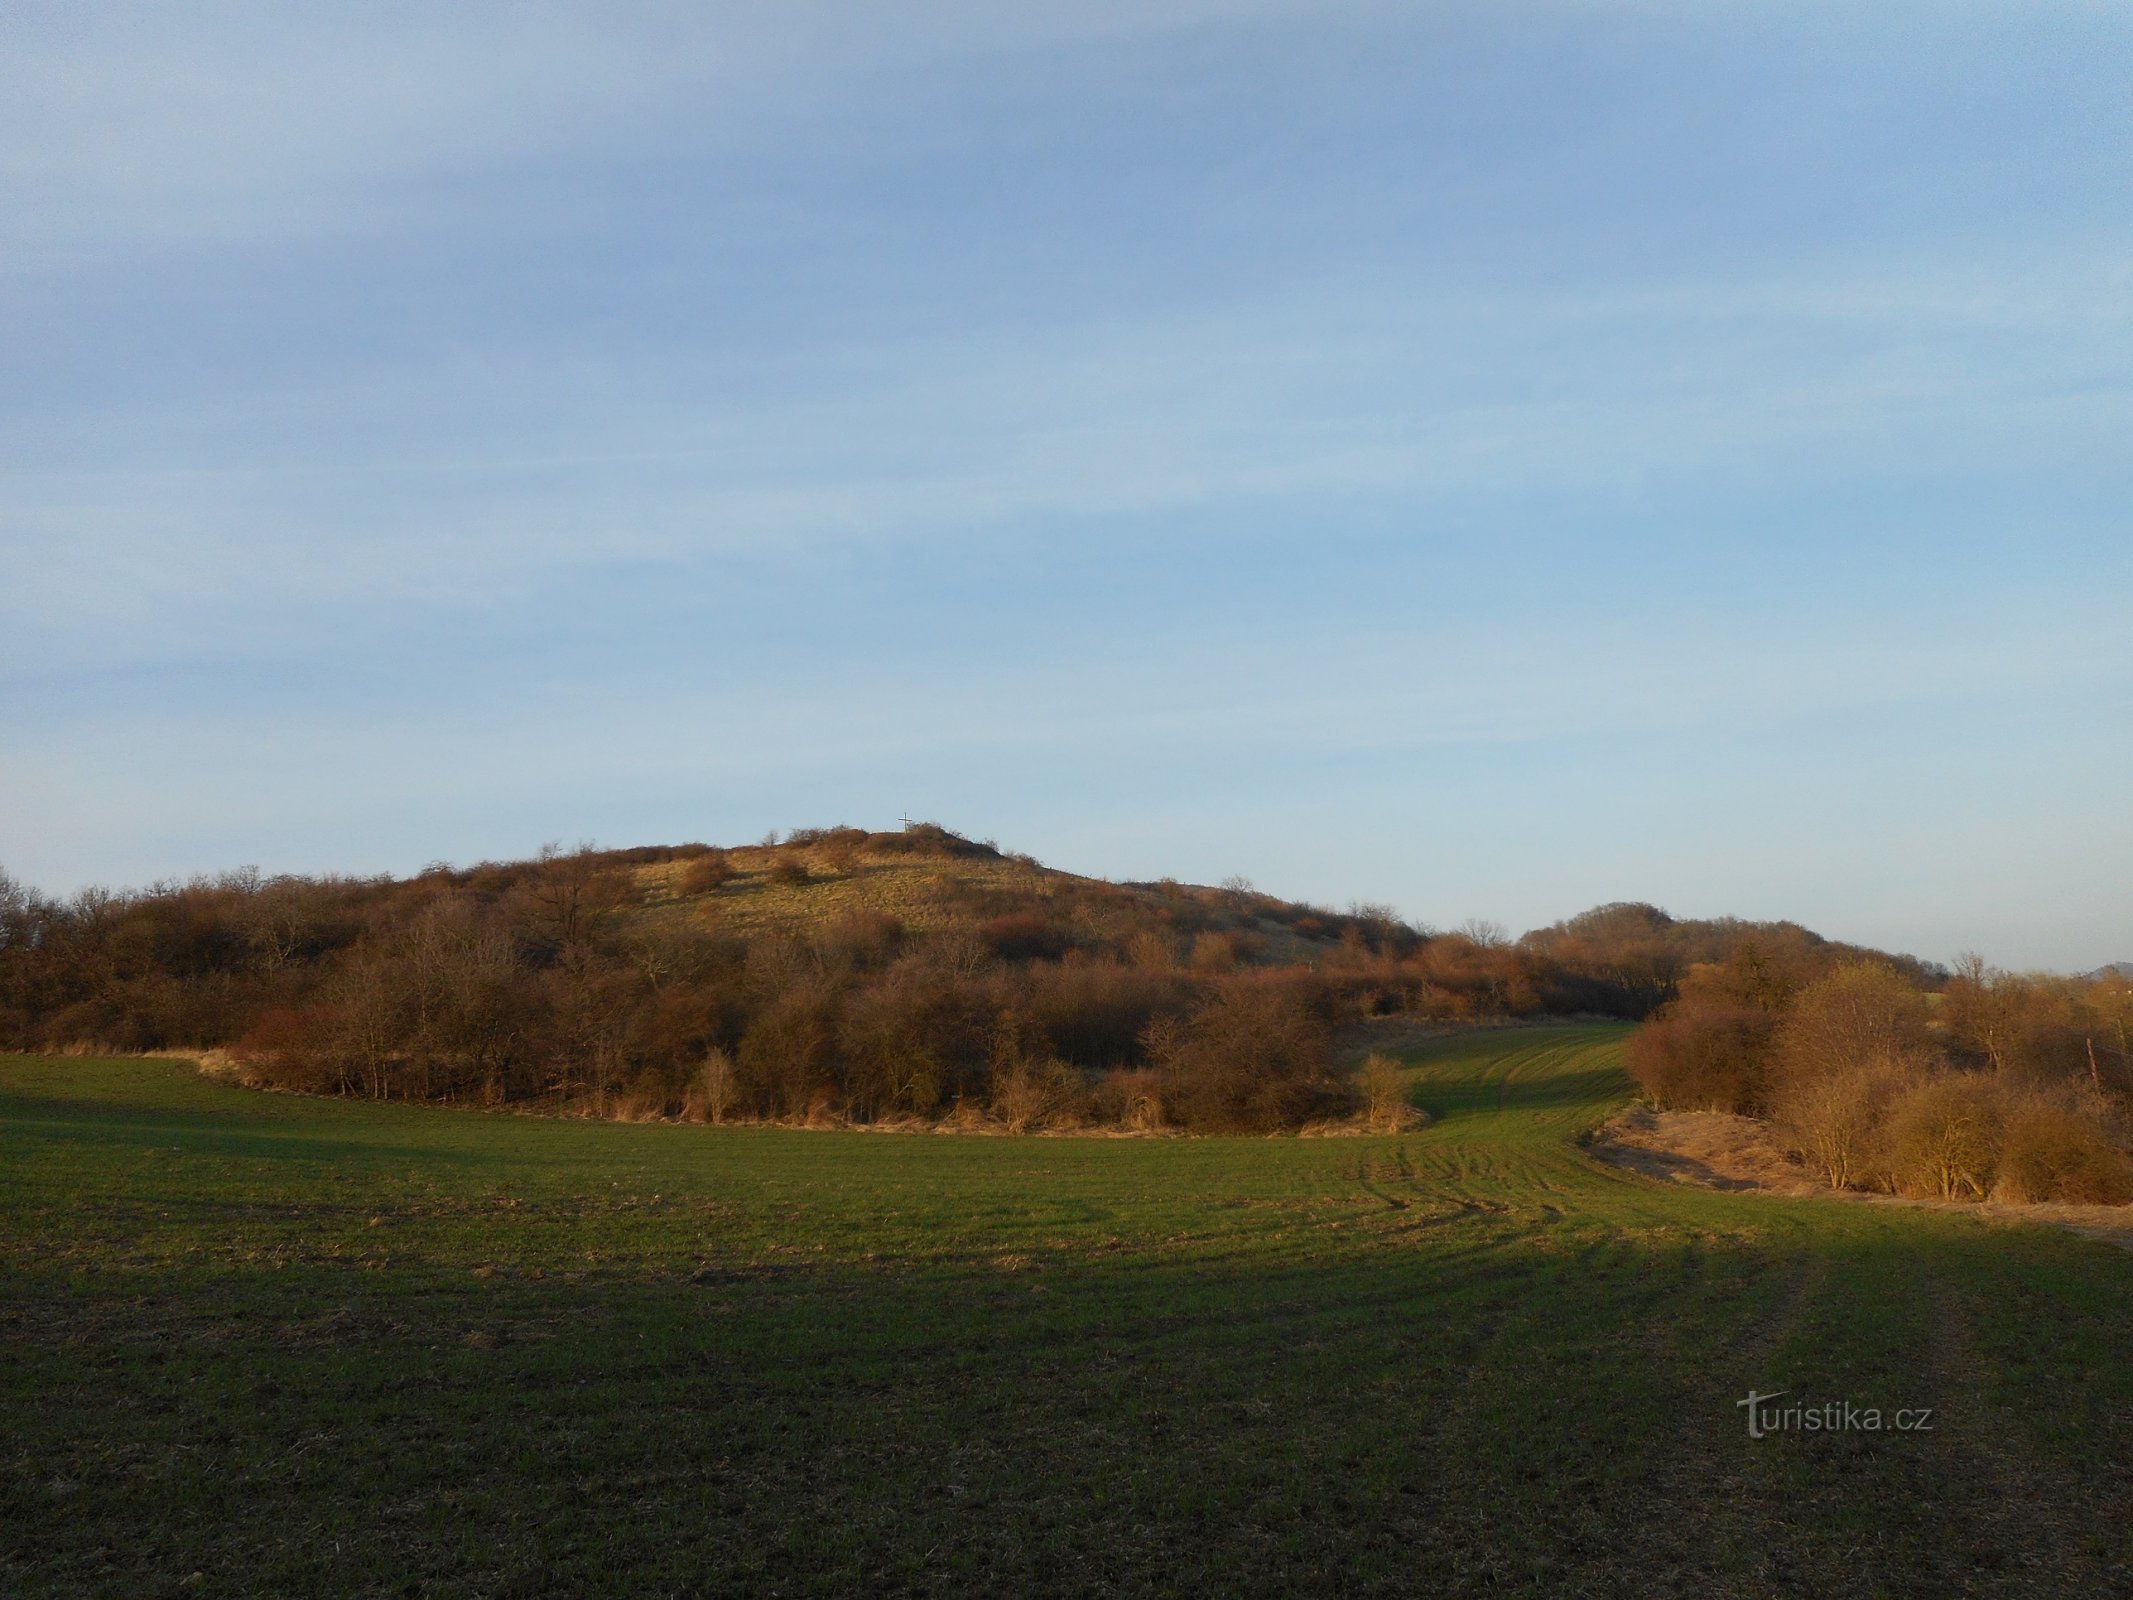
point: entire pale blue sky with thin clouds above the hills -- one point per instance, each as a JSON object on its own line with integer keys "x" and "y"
{"x": 1488, "y": 460}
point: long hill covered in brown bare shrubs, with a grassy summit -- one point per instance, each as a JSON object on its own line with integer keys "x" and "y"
{"x": 635, "y": 985}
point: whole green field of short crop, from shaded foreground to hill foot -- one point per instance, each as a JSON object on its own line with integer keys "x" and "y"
{"x": 270, "y": 1345}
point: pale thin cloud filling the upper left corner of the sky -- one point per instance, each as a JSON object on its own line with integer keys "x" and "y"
{"x": 236, "y": 125}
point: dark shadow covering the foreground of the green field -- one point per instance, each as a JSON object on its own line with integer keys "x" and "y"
{"x": 1471, "y": 1418}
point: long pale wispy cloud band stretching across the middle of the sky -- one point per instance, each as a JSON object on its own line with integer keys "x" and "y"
{"x": 1230, "y": 409}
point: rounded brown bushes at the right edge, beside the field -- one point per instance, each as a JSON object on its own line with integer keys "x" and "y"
{"x": 1991, "y": 1085}
